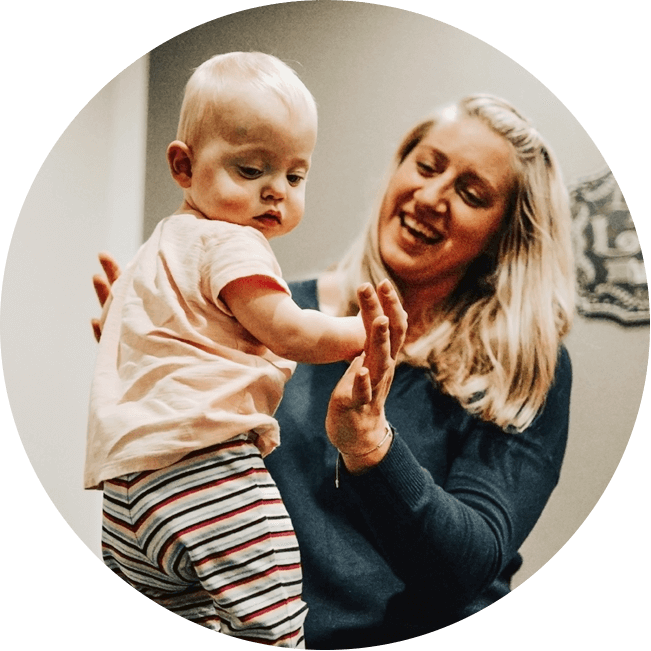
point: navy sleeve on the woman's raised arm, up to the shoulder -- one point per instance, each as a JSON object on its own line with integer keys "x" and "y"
{"x": 456, "y": 536}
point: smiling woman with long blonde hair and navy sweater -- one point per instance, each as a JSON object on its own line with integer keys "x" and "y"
{"x": 408, "y": 527}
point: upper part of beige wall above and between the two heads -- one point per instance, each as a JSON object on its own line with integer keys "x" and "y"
{"x": 374, "y": 71}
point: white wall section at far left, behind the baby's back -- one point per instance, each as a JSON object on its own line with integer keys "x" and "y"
{"x": 86, "y": 197}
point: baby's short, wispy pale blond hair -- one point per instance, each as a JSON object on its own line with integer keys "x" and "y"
{"x": 200, "y": 109}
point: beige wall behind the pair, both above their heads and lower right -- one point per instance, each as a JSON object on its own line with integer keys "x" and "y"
{"x": 375, "y": 71}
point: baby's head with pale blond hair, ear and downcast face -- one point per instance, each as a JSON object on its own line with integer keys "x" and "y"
{"x": 244, "y": 142}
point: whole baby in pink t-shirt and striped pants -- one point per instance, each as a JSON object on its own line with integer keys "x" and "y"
{"x": 194, "y": 356}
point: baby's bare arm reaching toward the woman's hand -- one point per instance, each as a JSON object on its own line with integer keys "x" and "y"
{"x": 308, "y": 336}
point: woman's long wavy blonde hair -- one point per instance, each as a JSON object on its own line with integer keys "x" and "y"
{"x": 496, "y": 345}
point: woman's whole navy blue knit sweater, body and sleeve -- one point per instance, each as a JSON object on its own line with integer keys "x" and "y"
{"x": 430, "y": 535}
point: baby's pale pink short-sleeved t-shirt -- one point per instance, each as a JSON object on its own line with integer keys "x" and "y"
{"x": 176, "y": 372}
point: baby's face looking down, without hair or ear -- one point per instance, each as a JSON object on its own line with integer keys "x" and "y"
{"x": 252, "y": 169}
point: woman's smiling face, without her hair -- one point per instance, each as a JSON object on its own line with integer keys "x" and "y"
{"x": 445, "y": 203}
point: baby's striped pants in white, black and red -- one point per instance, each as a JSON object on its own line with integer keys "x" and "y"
{"x": 209, "y": 539}
